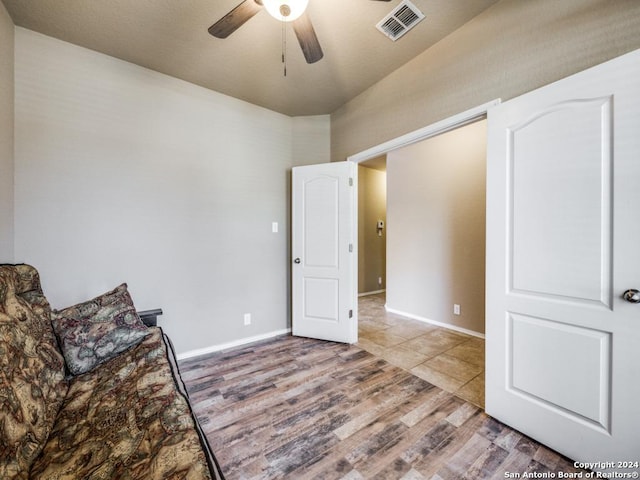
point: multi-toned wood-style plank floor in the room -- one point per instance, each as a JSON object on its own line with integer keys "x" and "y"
{"x": 295, "y": 408}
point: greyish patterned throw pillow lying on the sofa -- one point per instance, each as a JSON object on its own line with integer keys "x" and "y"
{"x": 97, "y": 330}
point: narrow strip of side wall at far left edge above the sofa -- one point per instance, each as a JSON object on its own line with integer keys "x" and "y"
{"x": 6, "y": 137}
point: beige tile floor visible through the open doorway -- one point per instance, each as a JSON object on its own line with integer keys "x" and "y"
{"x": 450, "y": 360}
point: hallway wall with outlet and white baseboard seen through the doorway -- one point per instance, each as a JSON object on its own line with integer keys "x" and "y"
{"x": 436, "y": 228}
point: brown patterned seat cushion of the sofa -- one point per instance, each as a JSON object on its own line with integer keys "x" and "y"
{"x": 125, "y": 419}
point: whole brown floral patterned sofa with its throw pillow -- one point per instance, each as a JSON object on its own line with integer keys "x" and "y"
{"x": 90, "y": 392}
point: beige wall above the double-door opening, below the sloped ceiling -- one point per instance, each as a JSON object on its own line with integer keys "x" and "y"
{"x": 512, "y": 48}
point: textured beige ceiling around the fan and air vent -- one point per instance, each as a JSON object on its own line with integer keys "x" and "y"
{"x": 170, "y": 36}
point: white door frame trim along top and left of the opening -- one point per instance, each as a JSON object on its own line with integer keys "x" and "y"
{"x": 435, "y": 129}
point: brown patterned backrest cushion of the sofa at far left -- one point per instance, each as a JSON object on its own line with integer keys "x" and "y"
{"x": 32, "y": 376}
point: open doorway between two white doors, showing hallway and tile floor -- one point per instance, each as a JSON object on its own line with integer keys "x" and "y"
{"x": 428, "y": 315}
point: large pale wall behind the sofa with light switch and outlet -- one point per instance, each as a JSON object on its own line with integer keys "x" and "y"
{"x": 125, "y": 174}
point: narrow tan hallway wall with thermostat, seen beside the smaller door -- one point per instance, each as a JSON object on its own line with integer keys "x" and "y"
{"x": 372, "y": 206}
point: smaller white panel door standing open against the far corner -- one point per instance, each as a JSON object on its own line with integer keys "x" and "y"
{"x": 323, "y": 280}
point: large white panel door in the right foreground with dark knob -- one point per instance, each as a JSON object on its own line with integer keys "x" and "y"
{"x": 563, "y": 230}
